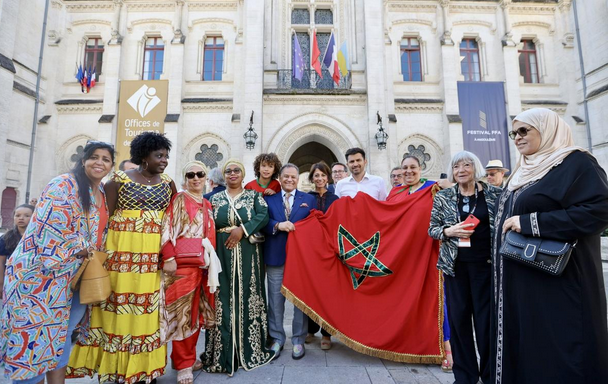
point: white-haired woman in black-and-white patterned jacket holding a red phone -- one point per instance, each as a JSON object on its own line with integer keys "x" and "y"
{"x": 463, "y": 218}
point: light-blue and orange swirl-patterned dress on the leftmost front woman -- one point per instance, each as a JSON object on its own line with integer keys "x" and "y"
{"x": 37, "y": 299}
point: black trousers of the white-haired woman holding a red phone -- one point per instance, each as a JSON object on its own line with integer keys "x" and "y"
{"x": 468, "y": 294}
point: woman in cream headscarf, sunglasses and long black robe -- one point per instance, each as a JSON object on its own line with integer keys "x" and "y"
{"x": 545, "y": 328}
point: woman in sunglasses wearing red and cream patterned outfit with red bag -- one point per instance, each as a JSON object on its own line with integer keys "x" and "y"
{"x": 190, "y": 271}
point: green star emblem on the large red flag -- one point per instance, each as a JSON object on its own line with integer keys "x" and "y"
{"x": 358, "y": 275}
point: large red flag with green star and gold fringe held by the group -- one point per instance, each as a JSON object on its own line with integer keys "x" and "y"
{"x": 366, "y": 272}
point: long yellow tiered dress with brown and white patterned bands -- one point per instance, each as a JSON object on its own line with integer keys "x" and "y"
{"x": 124, "y": 344}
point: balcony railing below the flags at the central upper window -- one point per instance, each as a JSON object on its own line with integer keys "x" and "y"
{"x": 312, "y": 81}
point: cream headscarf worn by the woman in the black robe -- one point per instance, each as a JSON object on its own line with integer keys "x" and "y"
{"x": 556, "y": 144}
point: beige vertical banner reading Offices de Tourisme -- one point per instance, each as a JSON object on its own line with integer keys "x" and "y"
{"x": 142, "y": 107}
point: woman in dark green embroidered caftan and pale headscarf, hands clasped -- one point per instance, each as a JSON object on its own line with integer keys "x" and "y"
{"x": 239, "y": 336}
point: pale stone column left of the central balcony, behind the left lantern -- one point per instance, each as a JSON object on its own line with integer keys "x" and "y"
{"x": 252, "y": 73}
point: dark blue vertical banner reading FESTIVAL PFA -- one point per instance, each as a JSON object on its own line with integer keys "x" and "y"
{"x": 485, "y": 125}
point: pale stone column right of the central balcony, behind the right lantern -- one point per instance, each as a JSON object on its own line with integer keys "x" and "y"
{"x": 378, "y": 160}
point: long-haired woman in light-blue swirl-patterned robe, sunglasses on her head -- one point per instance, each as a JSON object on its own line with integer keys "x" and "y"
{"x": 40, "y": 311}
